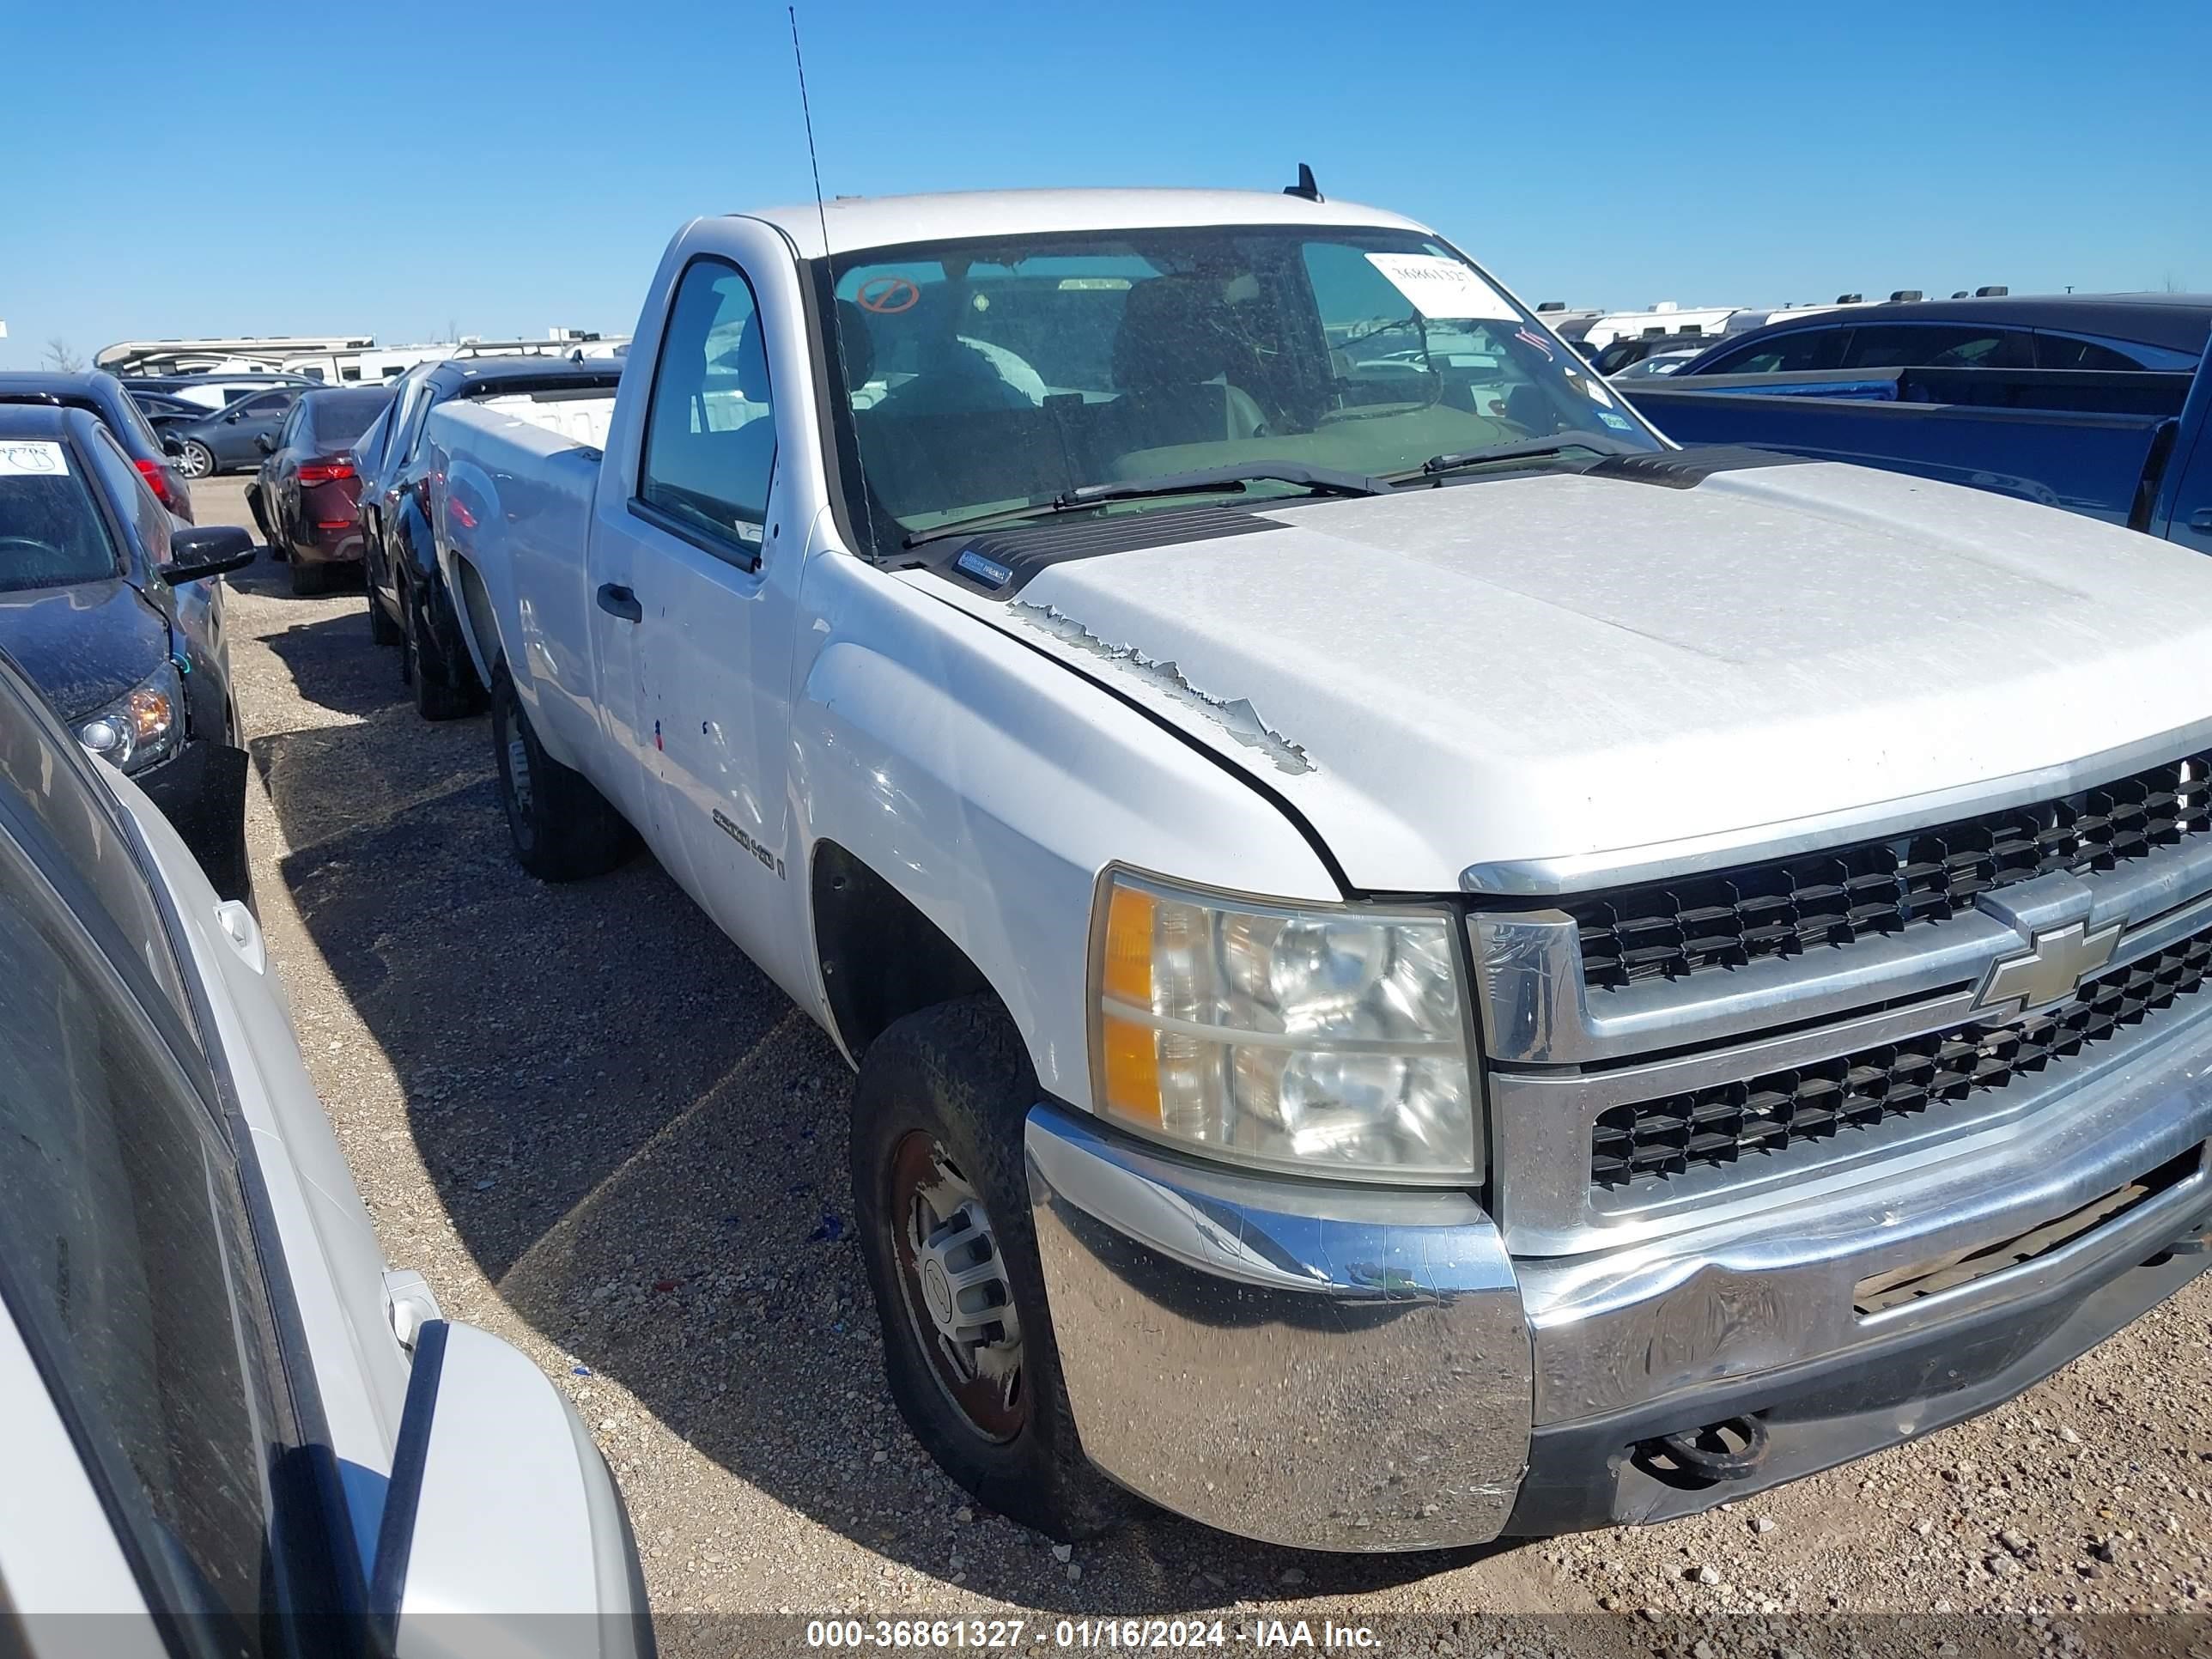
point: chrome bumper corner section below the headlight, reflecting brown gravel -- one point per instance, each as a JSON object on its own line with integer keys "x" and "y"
{"x": 1313, "y": 1366}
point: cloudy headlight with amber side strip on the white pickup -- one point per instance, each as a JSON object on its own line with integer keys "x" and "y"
{"x": 1319, "y": 1041}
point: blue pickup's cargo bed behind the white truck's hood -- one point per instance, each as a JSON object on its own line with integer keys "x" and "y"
{"x": 2065, "y": 439}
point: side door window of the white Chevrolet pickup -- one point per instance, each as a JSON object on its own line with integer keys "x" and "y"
{"x": 711, "y": 432}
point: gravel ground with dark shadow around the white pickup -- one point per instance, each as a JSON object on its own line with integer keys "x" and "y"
{"x": 601, "y": 1134}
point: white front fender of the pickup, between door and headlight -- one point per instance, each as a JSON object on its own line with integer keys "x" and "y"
{"x": 992, "y": 786}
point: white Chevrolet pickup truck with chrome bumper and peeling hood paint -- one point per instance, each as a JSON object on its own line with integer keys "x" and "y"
{"x": 1421, "y": 963}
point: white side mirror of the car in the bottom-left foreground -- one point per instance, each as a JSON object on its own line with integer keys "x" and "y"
{"x": 501, "y": 1510}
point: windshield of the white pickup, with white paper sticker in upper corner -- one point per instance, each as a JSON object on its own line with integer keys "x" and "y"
{"x": 1005, "y": 373}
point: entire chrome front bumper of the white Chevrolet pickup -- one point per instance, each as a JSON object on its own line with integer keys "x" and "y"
{"x": 1357, "y": 1370}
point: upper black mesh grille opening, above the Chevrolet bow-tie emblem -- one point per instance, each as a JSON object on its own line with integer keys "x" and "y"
{"x": 1782, "y": 908}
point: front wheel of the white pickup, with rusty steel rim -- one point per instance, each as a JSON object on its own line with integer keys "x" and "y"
{"x": 941, "y": 1198}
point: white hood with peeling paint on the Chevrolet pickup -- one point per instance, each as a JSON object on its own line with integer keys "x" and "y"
{"x": 1594, "y": 669}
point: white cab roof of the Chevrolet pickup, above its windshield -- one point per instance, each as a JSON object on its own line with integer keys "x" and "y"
{"x": 888, "y": 222}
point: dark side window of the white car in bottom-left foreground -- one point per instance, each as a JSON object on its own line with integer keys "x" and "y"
{"x": 129, "y": 1269}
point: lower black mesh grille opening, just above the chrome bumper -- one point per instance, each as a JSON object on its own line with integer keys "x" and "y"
{"x": 1731, "y": 1123}
